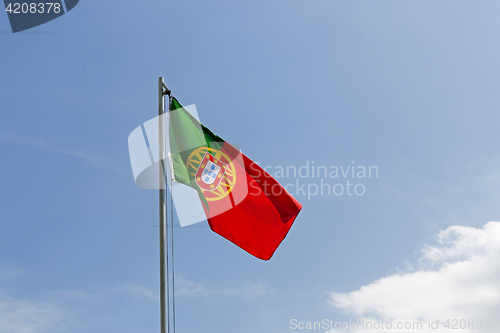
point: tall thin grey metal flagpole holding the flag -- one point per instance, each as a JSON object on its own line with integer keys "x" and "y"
{"x": 163, "y": 208}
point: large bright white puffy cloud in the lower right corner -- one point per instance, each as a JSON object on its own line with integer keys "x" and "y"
{"x": 458, "y": 278}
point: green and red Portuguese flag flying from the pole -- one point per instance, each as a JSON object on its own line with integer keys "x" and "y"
{"x": 242, "y": 202}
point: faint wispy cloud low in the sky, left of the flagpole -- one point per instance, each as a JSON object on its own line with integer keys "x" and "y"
{"x": 91, "y": 309}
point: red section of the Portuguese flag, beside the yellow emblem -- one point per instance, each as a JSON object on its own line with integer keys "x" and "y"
{"x": 261, "y": 220}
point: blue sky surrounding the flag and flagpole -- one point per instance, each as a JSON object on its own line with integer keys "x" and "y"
{"x": 410, "y": 87}
